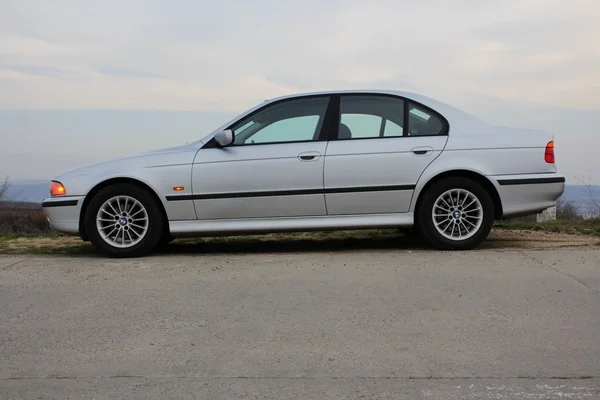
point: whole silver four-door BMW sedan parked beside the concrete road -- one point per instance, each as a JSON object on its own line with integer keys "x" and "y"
{"x": 317, "y": 161}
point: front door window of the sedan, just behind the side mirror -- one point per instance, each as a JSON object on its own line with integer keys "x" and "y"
{"x": 296, "y": 120}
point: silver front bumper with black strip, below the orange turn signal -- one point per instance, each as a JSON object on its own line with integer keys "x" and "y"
{"x": 63, "y": 213}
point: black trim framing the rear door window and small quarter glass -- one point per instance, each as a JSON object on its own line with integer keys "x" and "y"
{"x": 334, "y": 133}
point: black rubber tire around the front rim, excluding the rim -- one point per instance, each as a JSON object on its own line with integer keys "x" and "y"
{"x": 155, "y": 220}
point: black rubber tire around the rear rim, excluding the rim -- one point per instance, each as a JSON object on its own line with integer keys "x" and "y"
{"x": 426, "y": 222}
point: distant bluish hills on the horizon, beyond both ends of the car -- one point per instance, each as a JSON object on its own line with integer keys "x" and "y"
{"x": 582, "y": 196}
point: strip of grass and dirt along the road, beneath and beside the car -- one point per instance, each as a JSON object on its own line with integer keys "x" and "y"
{"x": 500, "y": 239}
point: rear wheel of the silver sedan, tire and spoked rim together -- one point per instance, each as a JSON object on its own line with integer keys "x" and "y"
{"x": 448, "y": 230}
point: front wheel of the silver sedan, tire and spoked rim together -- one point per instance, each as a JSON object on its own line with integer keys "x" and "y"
{"x": 142, "y": 229}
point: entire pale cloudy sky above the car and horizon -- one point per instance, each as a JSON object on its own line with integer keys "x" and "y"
{"x": 85, "y": 81}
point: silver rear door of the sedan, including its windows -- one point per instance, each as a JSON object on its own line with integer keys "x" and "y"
{"x": 382, "y": 145}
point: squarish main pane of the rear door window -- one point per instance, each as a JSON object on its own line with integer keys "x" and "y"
{"x": 370, "y": 116}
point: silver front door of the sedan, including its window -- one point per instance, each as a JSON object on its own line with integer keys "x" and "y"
{"x": 274, "y": 168}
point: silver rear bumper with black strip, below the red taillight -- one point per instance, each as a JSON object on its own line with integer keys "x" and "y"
{"x": 528, "y": 194}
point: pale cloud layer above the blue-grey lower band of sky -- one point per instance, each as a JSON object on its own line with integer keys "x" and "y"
{"x": 226, "y": 56}
